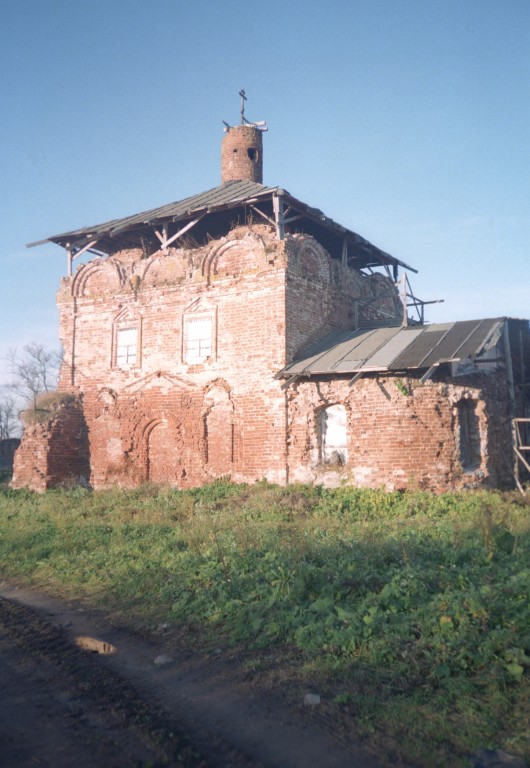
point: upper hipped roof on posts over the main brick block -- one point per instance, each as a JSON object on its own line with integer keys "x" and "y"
{"x": 218, "y": 210}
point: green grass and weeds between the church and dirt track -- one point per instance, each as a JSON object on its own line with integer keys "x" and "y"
{"x": 408, "y": 612}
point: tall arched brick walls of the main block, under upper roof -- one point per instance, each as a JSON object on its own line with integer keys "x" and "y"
{"x": 164, "y": 418}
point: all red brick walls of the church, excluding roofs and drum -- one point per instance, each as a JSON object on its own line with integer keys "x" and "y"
{"x": 166, "y": 419}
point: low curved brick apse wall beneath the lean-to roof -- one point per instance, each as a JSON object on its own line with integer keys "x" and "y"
{"x": 401, "y": 434}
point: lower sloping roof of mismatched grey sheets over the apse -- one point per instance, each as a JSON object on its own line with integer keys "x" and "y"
{"x": 396, "y": 348}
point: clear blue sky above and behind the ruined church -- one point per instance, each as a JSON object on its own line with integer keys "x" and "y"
{"x": 408, "y": 121}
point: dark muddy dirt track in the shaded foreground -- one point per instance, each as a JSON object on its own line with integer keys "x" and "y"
{"x": 77, "y": 691}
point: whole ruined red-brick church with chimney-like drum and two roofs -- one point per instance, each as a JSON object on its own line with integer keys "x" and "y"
{"x": 242, "y": 333}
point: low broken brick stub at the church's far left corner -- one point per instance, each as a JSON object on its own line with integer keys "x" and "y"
{"x": 54, "y": 452}
